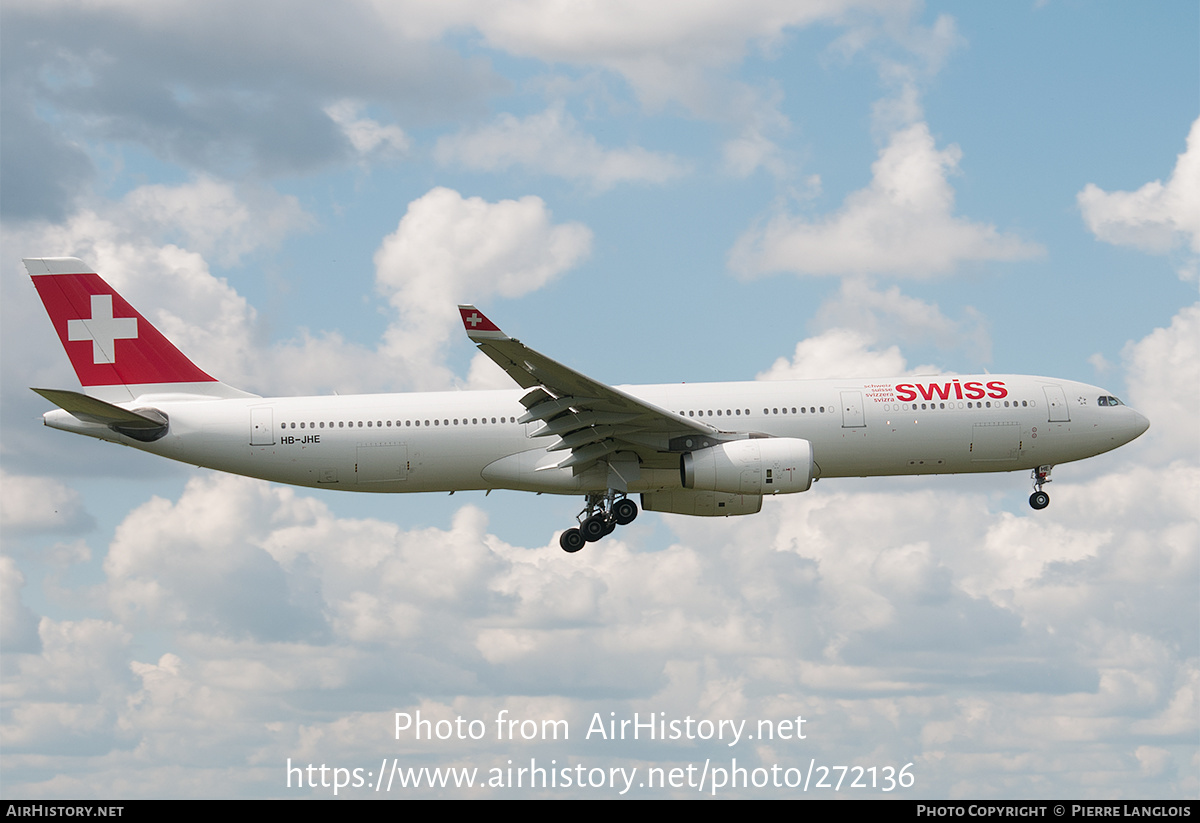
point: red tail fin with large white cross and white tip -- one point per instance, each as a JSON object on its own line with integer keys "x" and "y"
{"x": 109, "y": 343}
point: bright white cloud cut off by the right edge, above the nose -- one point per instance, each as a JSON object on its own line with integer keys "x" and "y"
{"x": 1157, "y": 218}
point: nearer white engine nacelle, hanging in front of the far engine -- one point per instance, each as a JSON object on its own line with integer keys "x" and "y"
{"x": 760, "y": 466}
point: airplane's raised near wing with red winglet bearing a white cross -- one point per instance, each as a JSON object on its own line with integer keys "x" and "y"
{"x": 589, "y": 418}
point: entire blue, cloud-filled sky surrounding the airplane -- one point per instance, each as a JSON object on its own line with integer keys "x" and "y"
{"x": 677, "y": 193}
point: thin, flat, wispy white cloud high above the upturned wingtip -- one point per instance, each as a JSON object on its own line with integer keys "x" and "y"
{"x": 553, "y": 143}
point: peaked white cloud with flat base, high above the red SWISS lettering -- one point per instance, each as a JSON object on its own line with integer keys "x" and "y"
{"x": 902, "y": 224}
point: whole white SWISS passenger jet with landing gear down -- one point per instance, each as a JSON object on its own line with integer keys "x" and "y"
{"x": 703, "y": 449}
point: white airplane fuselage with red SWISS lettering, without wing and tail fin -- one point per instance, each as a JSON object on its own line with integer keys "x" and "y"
{"x": 471, "y": 440}
